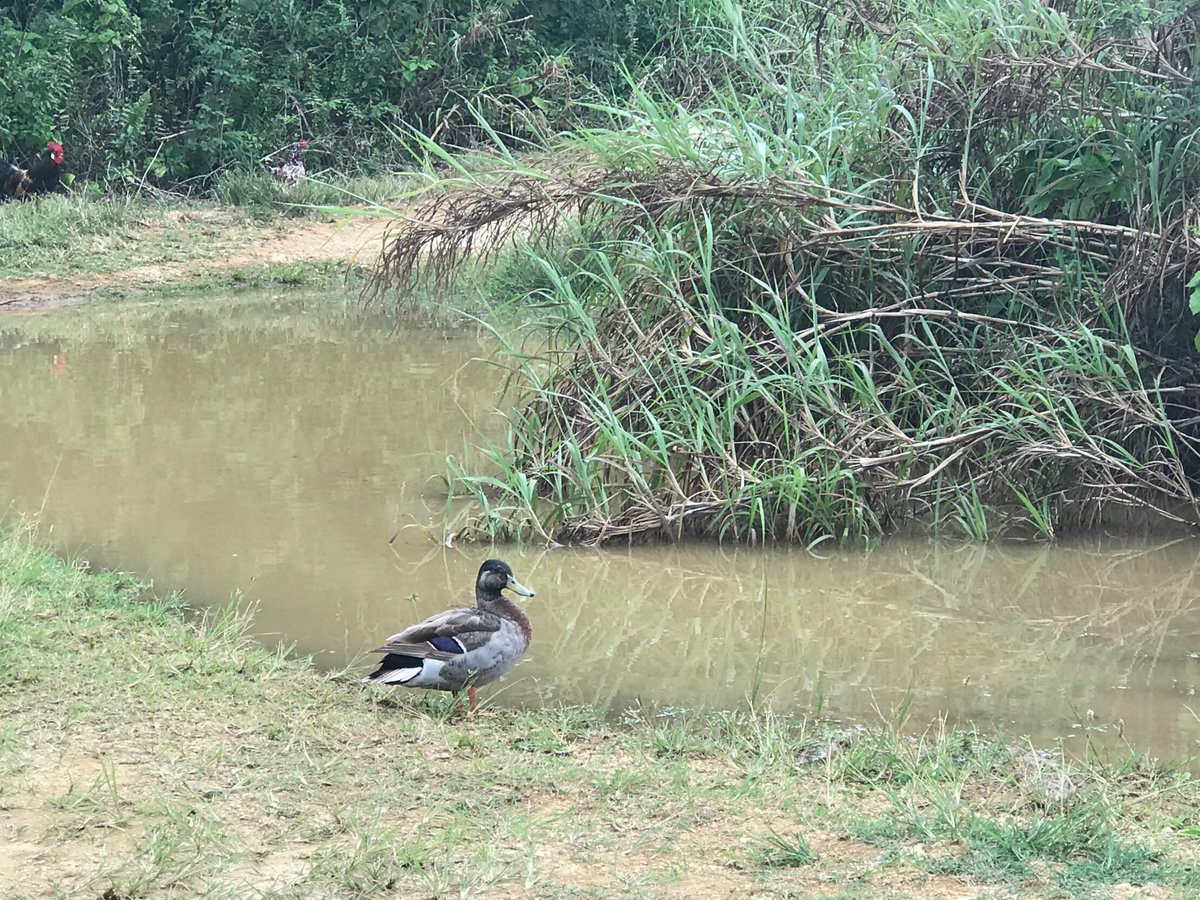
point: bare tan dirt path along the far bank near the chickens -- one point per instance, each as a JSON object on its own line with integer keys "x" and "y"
{"x": 224, "y": 244}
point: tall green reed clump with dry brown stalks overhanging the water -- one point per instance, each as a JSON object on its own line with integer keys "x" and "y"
{"x": 848, "y": 271}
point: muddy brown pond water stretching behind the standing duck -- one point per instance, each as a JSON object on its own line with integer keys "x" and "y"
{"x": 296, "y": 461}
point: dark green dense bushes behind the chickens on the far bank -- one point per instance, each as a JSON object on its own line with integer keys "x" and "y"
{"x": 170, "y": 91}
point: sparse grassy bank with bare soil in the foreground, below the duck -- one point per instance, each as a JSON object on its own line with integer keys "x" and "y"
{"x": 147, "y": 754}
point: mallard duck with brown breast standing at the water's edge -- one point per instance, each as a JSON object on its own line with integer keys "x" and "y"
{"x": 461, "y": 649}
